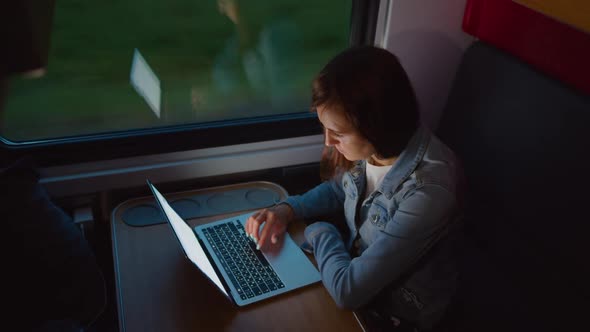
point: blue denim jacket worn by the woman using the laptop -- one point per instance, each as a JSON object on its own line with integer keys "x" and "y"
{"x": 398, "y": 251}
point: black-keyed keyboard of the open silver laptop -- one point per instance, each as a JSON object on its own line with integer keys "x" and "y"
{"x": 248, "y": 269}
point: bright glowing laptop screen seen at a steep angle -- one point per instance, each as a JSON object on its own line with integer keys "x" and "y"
{"x": 188, "y": 240}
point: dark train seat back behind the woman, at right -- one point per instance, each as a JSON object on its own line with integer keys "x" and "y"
{"x": 524, "y": 140}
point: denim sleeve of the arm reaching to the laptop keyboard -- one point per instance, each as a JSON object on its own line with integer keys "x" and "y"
{"x": 325, "y": 199}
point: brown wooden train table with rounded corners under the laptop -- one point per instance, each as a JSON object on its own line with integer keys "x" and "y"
{"x": 158, "y": 288}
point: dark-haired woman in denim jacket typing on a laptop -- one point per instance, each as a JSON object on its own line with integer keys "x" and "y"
{"x": 396, "y": 185}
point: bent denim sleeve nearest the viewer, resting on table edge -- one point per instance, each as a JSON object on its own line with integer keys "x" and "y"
{"x": 411, "y": 230}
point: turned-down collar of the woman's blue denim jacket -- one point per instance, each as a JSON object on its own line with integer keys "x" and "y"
{"x": 404, "y": 166}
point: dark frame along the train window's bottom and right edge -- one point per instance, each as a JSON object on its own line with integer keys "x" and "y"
{"x": 142, "y": 142}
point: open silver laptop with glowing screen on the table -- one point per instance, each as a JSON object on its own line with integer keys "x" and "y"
{"x": 229, "y": 259}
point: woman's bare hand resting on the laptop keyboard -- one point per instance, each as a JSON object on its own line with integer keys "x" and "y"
{"x": 274, "y": 221}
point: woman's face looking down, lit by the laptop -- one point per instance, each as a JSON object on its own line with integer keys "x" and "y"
{"x": 343, "y": 136}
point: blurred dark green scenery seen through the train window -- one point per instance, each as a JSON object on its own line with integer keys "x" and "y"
{"x": 203, "y": 61}
